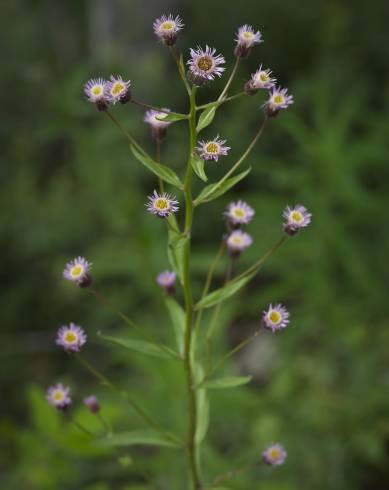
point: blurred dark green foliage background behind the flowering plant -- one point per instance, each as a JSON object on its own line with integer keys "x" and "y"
{"x": 69, "y": 186}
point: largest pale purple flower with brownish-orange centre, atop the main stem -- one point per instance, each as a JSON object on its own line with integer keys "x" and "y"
{"x": 204, "y": 65}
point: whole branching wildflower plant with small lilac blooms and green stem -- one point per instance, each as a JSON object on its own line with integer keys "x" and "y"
{"x": 175, "y": 203}
